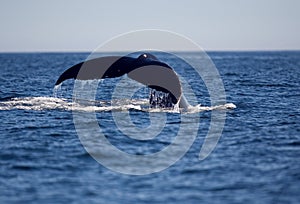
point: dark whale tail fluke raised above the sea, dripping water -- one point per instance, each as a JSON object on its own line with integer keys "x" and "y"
{"x": 146, "y": 69}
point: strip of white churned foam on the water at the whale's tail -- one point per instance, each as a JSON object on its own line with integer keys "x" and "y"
{"x": 63, "y": 104}
